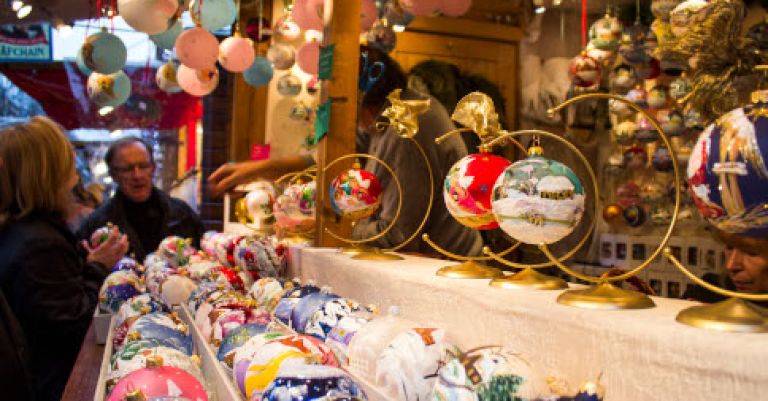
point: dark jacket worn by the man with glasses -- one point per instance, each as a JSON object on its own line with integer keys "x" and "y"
{"x": 176, "y": 218}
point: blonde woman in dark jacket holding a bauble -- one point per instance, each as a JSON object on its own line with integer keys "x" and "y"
{"x": 50, "y": 289}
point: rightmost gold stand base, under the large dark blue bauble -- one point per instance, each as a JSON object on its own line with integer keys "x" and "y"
{"x": 732, "y": 314}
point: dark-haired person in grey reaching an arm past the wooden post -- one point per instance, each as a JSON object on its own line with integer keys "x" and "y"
{"x": 400, "y": 154}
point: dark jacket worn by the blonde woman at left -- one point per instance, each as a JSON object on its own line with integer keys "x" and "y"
{"x": 52, "y": 292}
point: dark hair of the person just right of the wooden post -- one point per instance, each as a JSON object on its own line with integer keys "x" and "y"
{"x": 392, "y": 78}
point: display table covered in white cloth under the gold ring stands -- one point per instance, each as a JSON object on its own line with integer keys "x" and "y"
{"x": 644, "y": 355}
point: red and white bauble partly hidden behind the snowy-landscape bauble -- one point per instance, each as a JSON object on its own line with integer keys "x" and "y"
{"x": 467, "y": 189}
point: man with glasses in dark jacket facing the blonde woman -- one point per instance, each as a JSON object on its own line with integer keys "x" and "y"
{"x": 138, "y": 209}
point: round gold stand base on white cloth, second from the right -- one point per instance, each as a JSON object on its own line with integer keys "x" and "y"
{"x": 606, "y": 296}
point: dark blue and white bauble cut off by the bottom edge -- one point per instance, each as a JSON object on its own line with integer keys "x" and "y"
{"x": 313, "y": 383}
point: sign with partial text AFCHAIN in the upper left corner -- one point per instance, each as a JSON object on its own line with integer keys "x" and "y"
{"x": 26, "y": 43}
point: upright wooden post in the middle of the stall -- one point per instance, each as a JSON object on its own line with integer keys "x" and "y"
{"x": 342, "y": 28}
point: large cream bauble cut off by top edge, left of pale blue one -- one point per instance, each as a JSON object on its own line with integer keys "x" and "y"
{"x": 149, "y": 16}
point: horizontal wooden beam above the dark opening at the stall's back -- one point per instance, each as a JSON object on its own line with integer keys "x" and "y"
{"x": 467, "y": 28}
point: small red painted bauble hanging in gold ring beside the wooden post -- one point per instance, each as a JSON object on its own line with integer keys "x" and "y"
{"x": 355, "y": 193}
